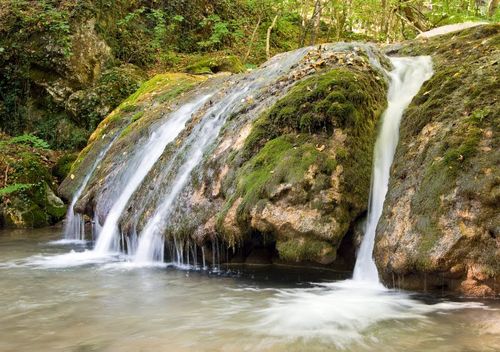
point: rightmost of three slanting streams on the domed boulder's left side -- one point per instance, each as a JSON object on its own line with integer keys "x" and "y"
{"x": 151, "y": 240}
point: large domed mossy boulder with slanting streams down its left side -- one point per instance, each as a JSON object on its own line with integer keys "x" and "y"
{"x": 288, "y": 176}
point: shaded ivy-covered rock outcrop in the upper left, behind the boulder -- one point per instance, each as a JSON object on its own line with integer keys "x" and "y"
{"x": 58, "y": 75}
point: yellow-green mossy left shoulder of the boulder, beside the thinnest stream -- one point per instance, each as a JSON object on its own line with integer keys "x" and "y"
{"x": 128, "y": 123}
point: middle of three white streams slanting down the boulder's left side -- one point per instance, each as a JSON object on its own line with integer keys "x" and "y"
{"x": 148, "y": 155}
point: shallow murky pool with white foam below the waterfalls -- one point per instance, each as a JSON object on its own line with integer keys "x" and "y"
{"x": 49, "y": 304}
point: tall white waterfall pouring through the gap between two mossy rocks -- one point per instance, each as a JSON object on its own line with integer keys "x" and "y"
{"x": 406, "y": 79}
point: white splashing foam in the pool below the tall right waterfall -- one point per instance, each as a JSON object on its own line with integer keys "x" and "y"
{"x": 343, "y": 312}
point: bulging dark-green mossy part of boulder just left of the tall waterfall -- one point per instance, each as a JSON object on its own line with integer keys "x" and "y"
{"x": 312, "y": 152}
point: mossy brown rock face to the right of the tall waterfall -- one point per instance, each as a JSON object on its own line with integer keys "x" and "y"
{"x": 441, "y": 223}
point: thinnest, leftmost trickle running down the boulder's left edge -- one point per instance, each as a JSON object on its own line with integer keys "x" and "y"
{"x": 74, "y": 225}
